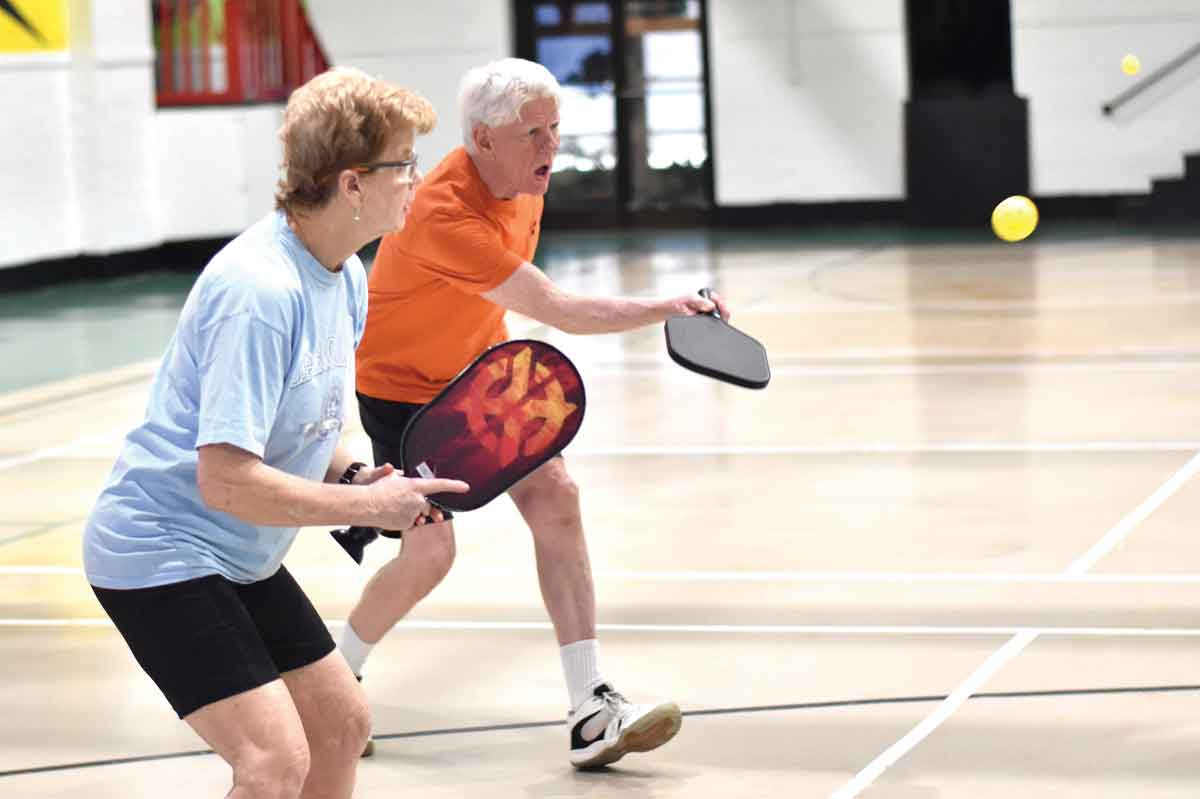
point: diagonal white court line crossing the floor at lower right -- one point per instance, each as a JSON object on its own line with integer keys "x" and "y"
{"x": 1015, "y": 647}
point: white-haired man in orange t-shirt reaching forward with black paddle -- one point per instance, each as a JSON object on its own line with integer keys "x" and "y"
{"x": 439, "y": 293}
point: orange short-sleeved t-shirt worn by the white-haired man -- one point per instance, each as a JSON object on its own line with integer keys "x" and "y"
{"x": 427, "y": 320}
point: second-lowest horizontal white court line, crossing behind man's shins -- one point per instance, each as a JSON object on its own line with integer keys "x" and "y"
{"x": 869, "y": 578}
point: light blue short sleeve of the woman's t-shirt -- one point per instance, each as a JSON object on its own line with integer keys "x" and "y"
{"x": 242, "y": 380}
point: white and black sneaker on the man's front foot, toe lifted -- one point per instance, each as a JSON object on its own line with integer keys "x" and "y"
{"x": 607, "y": 728}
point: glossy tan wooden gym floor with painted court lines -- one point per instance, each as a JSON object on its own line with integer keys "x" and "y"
{"x": 949, "y": 552}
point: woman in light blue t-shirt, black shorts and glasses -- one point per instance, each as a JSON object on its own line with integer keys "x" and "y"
{"x": 239, "y": 448}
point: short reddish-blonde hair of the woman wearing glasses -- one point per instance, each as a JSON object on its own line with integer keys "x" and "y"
{"x": 340, "y": 119}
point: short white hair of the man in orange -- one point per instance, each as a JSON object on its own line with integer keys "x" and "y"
{"x": 494, "y": 95}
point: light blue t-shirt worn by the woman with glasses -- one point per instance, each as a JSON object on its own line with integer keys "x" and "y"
{"x": 262, "y": 359}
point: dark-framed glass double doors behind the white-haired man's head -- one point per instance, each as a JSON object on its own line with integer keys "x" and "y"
{"x": 637, "y": 148}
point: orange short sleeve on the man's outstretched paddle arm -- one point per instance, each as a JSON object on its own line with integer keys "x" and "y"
{"x": 465, "y": 251}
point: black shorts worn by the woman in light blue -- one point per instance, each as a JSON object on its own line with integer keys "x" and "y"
{"x": 209, "y": 639}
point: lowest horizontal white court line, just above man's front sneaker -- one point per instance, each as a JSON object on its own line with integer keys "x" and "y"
{"x": 745, "y": 629}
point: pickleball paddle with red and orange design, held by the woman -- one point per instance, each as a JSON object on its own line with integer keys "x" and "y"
{"x": 513, "y": 410}
